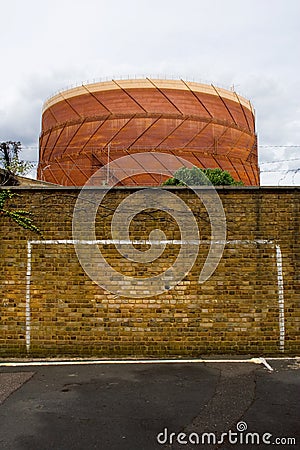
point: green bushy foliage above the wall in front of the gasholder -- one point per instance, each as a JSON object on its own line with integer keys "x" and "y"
{"x": 201, "y": 177}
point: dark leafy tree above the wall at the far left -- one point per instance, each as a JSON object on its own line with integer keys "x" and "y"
{"x": 10, "y": 159}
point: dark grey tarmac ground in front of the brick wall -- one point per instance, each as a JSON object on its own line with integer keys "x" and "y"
{"x": 150, "y": 406}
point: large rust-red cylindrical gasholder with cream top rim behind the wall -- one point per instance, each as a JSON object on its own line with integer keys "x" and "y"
{"x": 85, "y": 127}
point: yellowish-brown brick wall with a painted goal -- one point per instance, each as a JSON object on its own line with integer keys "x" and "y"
{"x": 250, "y": 305}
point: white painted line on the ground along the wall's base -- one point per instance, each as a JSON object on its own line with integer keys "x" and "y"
{"x": 84, "y": 362}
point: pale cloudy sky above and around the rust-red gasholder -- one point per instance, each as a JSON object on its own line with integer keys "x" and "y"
{"x": 48, "y": 45}
